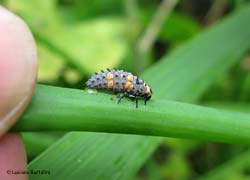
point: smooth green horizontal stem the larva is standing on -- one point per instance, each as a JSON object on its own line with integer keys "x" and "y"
{"x": 75, "y": 110}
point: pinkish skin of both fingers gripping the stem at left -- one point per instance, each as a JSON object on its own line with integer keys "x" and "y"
{"x": 18, "y": 69}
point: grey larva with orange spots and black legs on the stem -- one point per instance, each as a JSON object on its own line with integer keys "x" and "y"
{"x": 120, "y": 81}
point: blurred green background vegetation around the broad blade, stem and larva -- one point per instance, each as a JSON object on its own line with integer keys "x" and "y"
{"x": 76, "y": 38}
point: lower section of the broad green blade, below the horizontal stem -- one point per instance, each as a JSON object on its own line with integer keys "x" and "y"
{"x": 88, "y": 162}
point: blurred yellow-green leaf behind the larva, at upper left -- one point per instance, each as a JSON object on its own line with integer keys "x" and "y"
{"x": 78, "y": 42}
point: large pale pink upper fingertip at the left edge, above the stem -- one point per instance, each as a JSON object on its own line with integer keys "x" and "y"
{"x": 18, "y": 68}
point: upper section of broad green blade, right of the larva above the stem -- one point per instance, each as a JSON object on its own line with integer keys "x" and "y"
{"x": 190, "y": 69}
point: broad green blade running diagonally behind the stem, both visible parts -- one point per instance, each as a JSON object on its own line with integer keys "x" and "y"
{"x": 181, "y": 76}
